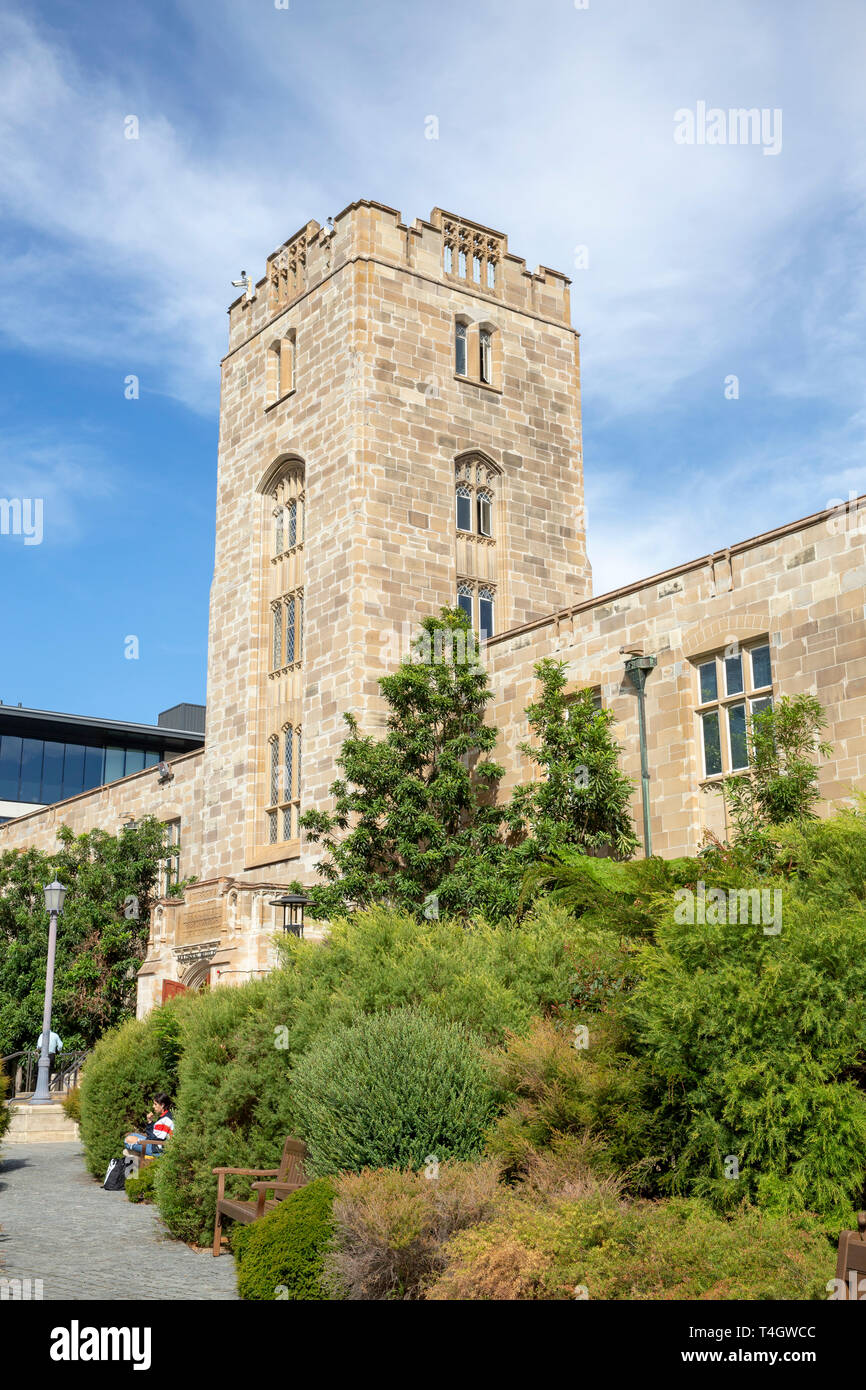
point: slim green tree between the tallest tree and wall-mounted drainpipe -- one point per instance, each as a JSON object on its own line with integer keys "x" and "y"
{"x": 582, "y": 799}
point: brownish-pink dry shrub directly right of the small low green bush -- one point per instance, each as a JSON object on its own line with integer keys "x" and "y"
{"x": 391, "y": 1227}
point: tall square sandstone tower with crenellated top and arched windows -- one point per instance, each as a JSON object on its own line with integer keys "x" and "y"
{"x": 400, "y": 432}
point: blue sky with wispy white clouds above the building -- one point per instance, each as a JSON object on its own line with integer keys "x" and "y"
{"x": 557, "y": 127}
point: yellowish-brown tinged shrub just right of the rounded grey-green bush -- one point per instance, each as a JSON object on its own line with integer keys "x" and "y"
{"x": 550, "y": 1086}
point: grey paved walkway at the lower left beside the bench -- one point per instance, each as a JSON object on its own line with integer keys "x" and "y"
{"x": 58, "y": 1225}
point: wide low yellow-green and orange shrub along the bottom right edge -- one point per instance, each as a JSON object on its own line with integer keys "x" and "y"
{"x": 642, "y": 1250}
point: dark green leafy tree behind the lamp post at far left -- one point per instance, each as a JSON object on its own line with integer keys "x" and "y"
{"x": 102, "y": 933}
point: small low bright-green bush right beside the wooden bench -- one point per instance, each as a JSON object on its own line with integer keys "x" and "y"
{"x": 281, "y": 1256}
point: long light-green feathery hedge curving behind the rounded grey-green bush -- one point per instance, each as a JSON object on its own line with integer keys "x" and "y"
{"x": 236, "y": 1103}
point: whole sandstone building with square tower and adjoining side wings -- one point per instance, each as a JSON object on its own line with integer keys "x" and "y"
{"x": 401, "y": 430}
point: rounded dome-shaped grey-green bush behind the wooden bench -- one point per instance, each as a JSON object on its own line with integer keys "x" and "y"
{"x": 390, "y": 1092}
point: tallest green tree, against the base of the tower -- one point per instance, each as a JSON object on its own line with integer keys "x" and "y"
{"x": 414, "y": 808}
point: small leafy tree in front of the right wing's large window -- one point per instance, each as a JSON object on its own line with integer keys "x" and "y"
{"x": 782, "y": 782}
